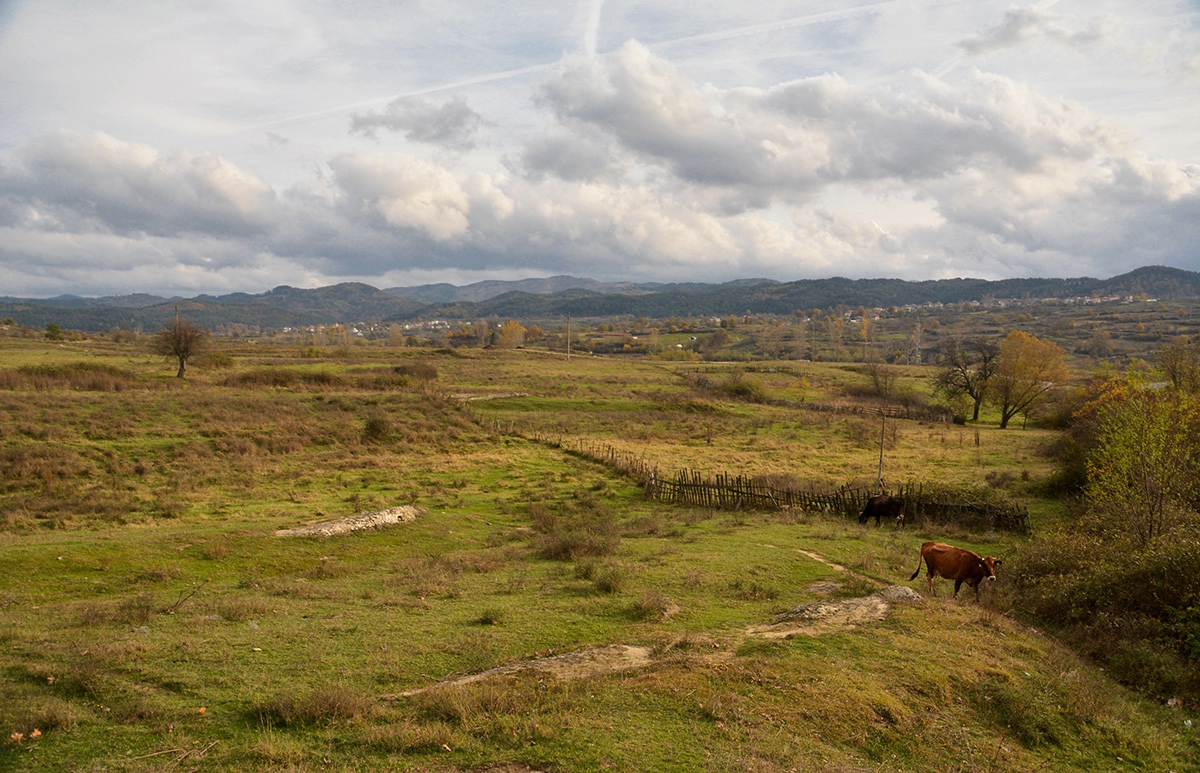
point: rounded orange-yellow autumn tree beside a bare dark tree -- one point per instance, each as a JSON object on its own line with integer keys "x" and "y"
{"x": 1028, "y": 369}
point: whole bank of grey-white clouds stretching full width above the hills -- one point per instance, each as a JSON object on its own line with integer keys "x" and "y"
{"x": 639, "y": 172}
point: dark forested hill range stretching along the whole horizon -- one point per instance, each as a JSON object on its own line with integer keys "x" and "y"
{"x": 559, "y": 297}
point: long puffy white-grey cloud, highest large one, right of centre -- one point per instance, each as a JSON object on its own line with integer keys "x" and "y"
{"x": 793, "y": 141}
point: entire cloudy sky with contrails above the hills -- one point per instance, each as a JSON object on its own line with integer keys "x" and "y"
{"x": 183, "y": 148}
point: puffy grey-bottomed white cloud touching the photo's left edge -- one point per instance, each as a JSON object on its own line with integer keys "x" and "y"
{"x": 95, "y": 183}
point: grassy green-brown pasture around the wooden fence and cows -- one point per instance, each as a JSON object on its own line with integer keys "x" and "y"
{"x": 151, "y": 619}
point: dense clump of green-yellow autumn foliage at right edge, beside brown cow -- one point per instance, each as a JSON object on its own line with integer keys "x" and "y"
{"x": 1120, "y": 577}
